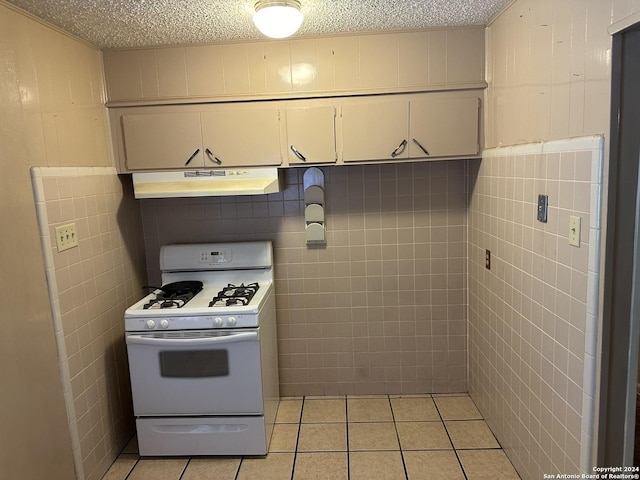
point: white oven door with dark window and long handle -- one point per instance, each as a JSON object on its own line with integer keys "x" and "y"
{"x": 203, "y": 372}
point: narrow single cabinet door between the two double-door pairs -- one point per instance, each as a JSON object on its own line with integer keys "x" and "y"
{"x": 311, "y": 134}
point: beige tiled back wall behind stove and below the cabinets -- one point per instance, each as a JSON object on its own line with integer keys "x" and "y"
{"x": 381, "y": 308}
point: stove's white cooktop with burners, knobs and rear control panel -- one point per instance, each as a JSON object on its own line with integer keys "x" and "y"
{"x": 206, "y": 286}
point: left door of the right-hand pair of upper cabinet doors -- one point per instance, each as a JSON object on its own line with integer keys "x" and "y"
{"x": 375, "y": 131}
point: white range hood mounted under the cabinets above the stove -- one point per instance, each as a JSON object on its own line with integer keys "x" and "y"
{"x": 206, "y": 183}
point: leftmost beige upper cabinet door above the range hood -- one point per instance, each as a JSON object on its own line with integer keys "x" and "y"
{"x": 162, "y": 140}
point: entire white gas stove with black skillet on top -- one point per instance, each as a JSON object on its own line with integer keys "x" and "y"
{"x": 203, "y": 352}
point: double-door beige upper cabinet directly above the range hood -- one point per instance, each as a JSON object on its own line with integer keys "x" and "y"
{"x": 206, "y": 137}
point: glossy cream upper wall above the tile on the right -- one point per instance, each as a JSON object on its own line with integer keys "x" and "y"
{"x": 549, "y": 68}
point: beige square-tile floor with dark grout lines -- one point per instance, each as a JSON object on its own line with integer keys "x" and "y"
{"x": 382, "y": 437}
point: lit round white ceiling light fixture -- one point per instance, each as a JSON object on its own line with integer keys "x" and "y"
{"x": 278, "y": 19}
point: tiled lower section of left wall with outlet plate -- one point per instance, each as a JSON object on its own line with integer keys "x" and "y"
{"x": 90, "y": 286}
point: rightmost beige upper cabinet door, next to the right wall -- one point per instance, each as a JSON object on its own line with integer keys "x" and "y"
{"x": 443, "y": 127}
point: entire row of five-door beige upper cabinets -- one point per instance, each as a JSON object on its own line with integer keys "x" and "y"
{"x": 363, "y": 129}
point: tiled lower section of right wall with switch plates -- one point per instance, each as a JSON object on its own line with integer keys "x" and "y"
{"x": 533, "y": 316}
